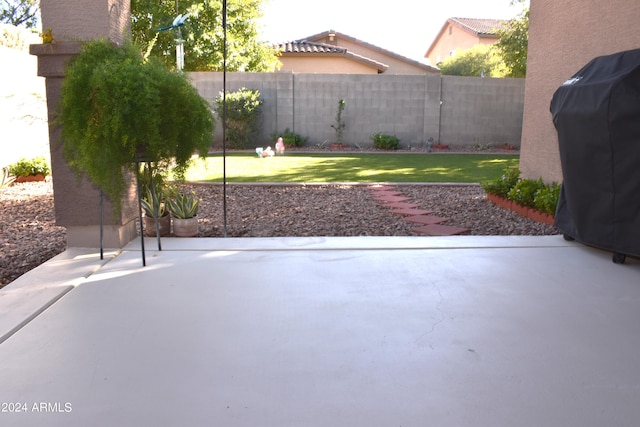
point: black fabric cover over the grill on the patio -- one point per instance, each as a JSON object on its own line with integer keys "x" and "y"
{"x": 597, "y": 115}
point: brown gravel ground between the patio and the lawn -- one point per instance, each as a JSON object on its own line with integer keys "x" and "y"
{"x": 29, "y": 237}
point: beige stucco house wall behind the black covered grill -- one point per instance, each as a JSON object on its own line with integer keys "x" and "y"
{"x": 563, "y": 37}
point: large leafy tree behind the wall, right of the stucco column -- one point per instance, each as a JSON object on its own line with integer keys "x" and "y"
{"x": 203, "y": 34}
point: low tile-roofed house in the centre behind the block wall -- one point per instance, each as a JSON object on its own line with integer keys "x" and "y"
{"x": 334, "y": 52}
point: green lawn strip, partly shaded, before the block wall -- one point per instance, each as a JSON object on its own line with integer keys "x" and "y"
{"x": 353, "y": 167}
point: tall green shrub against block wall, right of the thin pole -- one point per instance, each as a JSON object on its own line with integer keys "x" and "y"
{"x": 242, "y": 116}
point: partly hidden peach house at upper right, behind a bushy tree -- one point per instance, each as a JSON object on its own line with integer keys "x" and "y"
{"x": 458, "y": 34}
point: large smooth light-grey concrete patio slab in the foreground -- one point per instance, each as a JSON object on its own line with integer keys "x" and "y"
{"x": 438, "y": 331}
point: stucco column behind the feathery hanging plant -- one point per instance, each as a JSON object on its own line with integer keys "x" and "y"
{"x": 77, "y": 203}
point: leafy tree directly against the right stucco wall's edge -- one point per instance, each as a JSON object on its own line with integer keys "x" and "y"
{"x": 513, "y": 44}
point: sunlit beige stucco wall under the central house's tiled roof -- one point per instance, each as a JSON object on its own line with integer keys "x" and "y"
{"x": 321, "y": 63}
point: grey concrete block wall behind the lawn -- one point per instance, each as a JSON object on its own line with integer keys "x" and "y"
{"x": 451, "y": 110}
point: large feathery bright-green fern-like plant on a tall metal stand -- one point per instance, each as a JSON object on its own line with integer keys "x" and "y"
{"x": 119, "y": 109}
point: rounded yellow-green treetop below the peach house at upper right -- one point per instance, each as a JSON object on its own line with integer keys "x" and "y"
{"x": 473, "y": 62}
